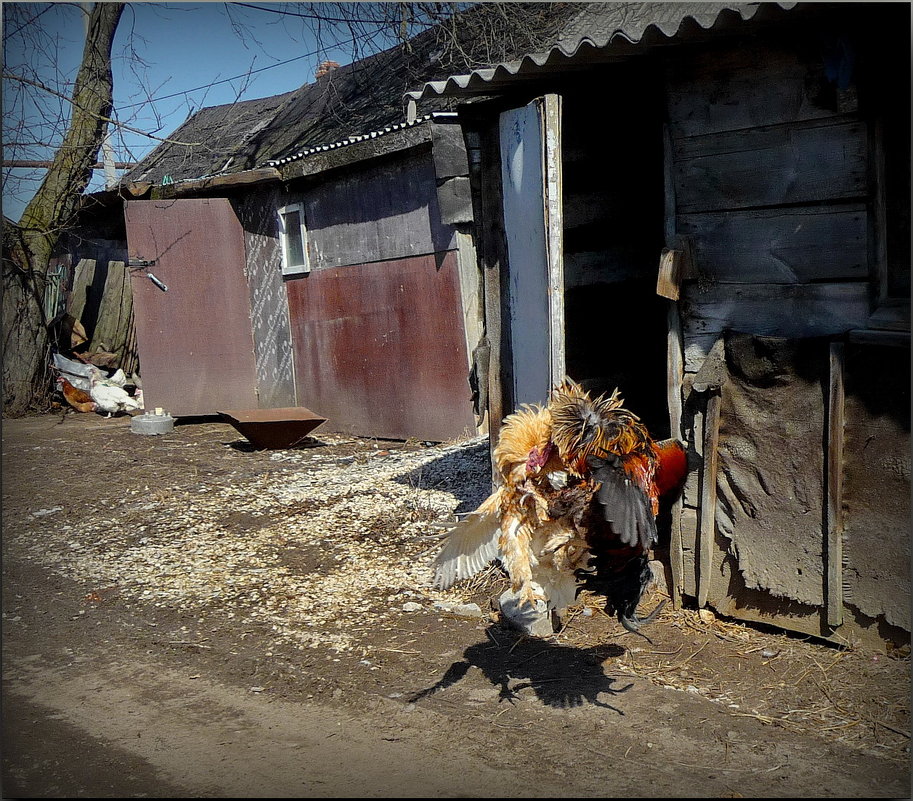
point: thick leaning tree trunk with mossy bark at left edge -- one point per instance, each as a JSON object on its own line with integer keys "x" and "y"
{"x": 29, "y": 245}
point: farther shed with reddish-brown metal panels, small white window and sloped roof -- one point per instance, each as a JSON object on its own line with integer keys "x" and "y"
{"x": 311, "y": 249}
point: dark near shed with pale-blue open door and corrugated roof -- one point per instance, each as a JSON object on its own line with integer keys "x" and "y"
{"x": 708, "y": 206}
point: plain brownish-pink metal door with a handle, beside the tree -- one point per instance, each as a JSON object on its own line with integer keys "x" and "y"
{"x": 194, "y": 340}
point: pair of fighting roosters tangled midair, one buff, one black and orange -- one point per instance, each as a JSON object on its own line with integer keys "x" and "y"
{"x": 576, "y": 505}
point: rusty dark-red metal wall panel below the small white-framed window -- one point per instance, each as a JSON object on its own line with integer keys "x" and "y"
{"x": 380, "y": 349}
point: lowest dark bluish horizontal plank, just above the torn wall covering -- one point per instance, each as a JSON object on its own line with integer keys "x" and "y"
{"x": 799, "y": 310}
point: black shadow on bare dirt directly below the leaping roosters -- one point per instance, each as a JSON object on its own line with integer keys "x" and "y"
{"x": 560, "y": 676}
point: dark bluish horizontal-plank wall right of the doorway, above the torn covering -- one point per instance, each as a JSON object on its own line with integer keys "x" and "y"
{"x": 771, "y": 187}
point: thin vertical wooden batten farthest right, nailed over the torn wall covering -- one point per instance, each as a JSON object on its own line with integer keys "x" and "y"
{"x": 833, "y": 489}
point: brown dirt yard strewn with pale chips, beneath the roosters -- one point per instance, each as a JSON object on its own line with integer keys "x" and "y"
{"x": 186, "y": 616}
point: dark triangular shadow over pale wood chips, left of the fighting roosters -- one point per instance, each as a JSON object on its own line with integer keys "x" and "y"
{"x": 456, "y": 472}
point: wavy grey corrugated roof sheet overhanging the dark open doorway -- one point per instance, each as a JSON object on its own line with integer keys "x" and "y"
{"x": 601, "y": 31}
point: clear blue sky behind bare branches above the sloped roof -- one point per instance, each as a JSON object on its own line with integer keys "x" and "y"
{"x": 184, "y": 55}
